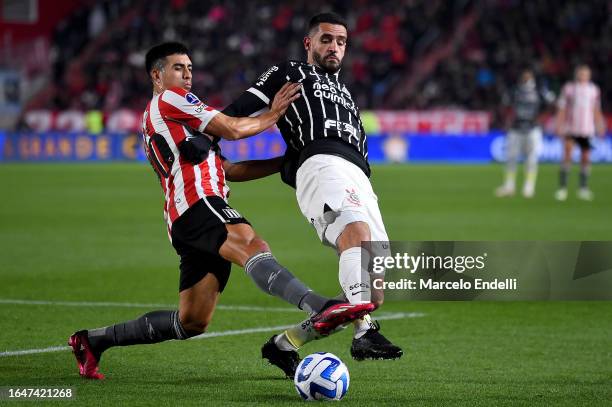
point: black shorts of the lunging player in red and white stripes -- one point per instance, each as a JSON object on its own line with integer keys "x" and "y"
{"x": 197, "y": 237}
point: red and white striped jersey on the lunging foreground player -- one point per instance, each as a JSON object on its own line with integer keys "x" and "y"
{"x": 175, "y": 115}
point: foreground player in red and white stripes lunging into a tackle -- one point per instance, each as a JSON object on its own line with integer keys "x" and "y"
{"x": 181, "y": 135}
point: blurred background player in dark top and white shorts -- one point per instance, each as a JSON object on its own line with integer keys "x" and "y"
{"x": 525, "y": 135}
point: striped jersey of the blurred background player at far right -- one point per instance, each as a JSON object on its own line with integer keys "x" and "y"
{"x": 580, "y": 100}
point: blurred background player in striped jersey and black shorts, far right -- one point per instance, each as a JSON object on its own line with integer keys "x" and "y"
{"x": 578, "y": 119}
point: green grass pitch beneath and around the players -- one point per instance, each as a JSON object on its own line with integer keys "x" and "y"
{"x": 95, "y": 233}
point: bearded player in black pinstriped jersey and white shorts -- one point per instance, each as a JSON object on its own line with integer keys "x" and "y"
{"x": 326, "y": 161}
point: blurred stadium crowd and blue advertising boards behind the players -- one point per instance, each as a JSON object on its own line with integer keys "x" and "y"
{"x": 429, "y": 76}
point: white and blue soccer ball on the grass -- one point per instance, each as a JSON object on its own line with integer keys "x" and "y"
{"x": 321, "y": 376}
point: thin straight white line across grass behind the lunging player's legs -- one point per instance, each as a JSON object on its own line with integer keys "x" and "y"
{"x": 253, "y": 308}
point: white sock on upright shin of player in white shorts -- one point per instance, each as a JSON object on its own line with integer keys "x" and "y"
{"x": 354, "y": 280}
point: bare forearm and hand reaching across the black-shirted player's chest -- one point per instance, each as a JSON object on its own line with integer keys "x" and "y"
{"x": 236, "y": 128}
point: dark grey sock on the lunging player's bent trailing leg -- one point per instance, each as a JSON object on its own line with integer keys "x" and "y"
{"x": 153, "y": 327}
